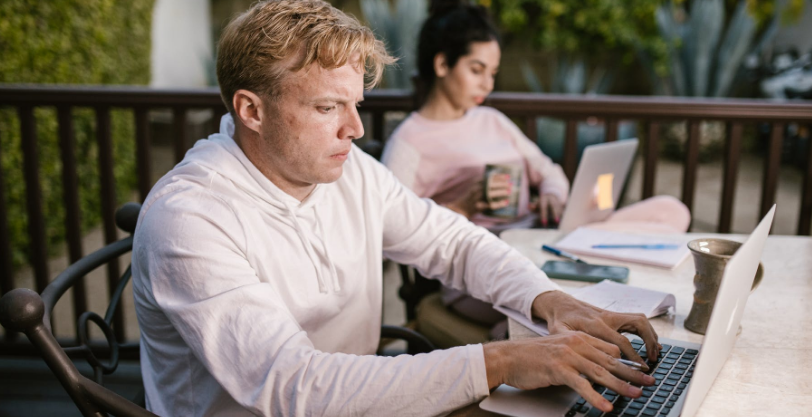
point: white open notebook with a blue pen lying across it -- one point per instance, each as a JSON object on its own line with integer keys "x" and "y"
{"x": 581, "y": 240}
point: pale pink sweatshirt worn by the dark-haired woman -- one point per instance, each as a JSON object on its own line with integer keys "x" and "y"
{"x": 441, "y": 159}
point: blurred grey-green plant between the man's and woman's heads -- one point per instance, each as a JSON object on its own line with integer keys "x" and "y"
{"x": 399, "y": 29}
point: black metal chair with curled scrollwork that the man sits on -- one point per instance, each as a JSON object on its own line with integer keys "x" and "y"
{"x": 23, "y": 310}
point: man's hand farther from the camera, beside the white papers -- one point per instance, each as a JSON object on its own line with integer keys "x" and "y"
{"x": 564, "y": 313}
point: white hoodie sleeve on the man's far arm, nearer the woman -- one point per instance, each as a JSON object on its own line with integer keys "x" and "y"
{"x": 443, "y": 245}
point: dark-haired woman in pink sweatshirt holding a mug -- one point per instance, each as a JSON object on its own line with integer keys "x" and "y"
{"x": 441, "y": 150}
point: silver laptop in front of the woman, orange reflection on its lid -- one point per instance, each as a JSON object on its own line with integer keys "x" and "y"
{"x": 603, "y": 169}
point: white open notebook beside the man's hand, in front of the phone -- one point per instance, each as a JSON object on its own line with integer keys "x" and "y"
{"x": 608, "y": 295}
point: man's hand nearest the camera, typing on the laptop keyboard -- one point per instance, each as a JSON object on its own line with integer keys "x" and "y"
{"x": 563, "y": 359}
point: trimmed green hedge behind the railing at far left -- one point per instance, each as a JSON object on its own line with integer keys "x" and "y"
{"x": 69, "y": 42}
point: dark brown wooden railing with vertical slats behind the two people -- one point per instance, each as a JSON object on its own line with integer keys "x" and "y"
{"x": 652, "y": 111}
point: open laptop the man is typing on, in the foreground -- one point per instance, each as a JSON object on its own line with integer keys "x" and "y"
{"x": 684, "y": 372}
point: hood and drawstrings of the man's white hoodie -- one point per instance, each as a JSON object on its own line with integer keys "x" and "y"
{"x": 221, "y": 155}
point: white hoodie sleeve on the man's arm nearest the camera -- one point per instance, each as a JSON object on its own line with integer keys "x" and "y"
{"x": 190, "y": 260}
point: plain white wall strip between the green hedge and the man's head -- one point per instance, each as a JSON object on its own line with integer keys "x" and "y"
{"x": 182, "y": 48}
